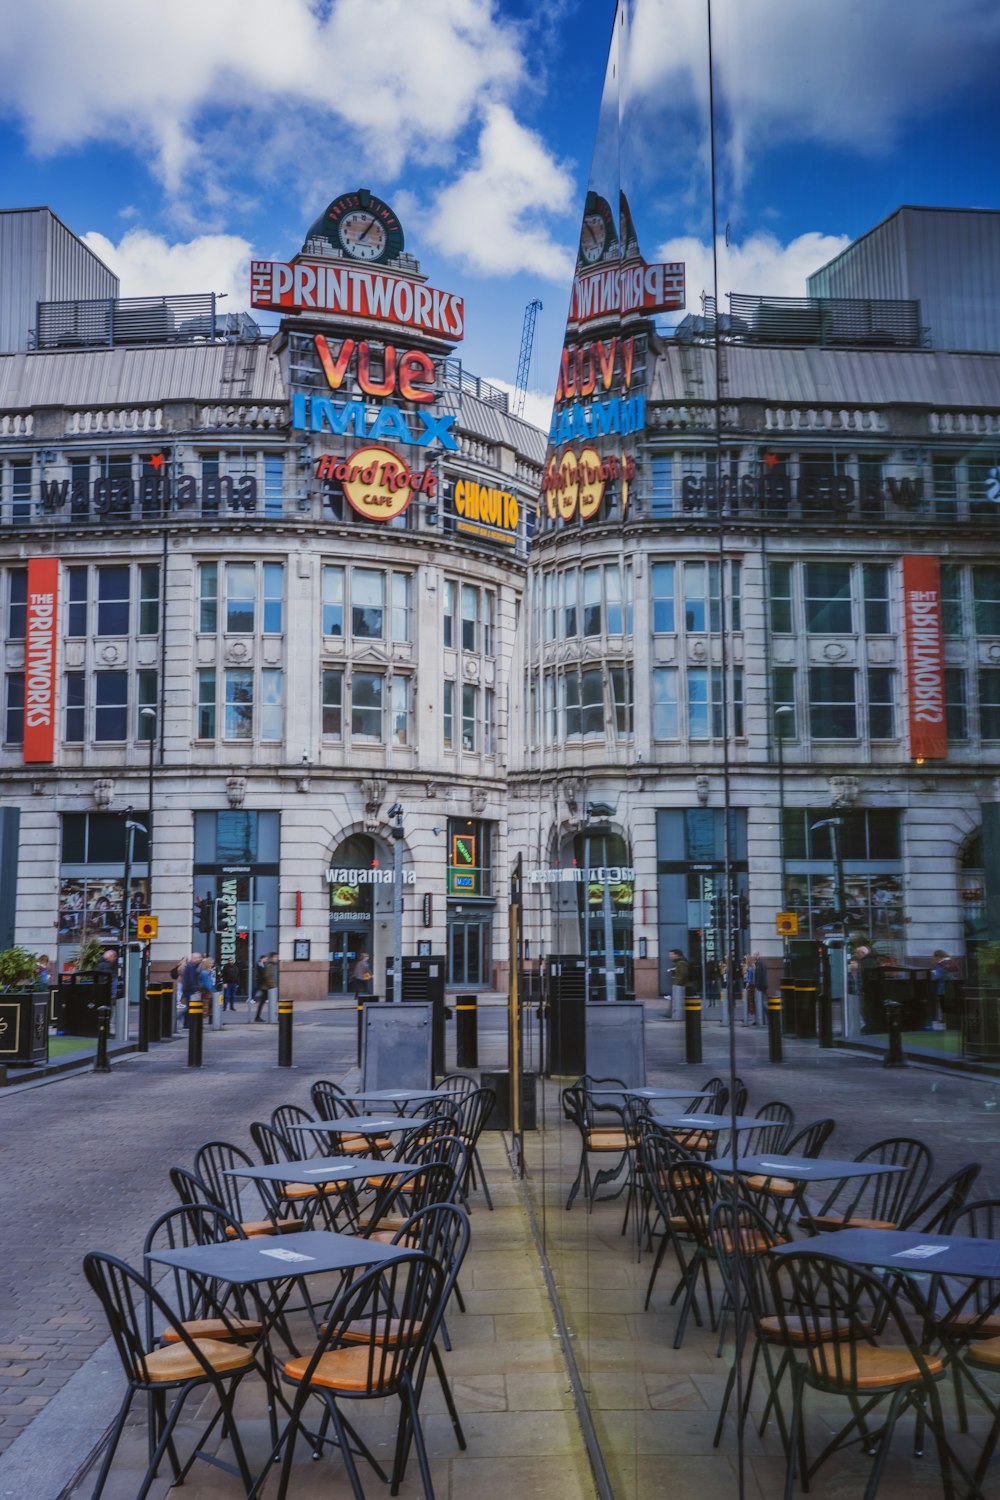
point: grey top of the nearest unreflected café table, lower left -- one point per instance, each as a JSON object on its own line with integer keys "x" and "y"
{"x": 277, "y": 1258}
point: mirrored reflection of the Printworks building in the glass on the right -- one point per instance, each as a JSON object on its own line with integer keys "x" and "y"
{"x": 767, "y": 580}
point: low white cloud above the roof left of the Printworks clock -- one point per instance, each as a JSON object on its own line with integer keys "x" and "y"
{"x": 149, "y": 265}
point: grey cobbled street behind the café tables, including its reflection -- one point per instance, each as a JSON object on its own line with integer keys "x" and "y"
{"x": 88, "y": 1156}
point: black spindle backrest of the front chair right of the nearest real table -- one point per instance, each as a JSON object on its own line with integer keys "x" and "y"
{"x": 404, "y": 1294}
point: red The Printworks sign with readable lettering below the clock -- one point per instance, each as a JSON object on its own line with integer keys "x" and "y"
{"x": 353, "y": 293}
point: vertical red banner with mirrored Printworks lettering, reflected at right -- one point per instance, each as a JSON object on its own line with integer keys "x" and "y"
{"x": 924, "y": 658}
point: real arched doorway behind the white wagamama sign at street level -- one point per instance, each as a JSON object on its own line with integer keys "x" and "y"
{"x": 361, "y": 881}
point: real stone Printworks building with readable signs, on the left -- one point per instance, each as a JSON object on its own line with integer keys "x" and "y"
{"x": 271, "y": 584}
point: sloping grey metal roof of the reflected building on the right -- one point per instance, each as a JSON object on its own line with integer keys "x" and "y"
{"x": 828, "y": 377}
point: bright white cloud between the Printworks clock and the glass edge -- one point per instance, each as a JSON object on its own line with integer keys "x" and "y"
{"x": 490, "y": 218}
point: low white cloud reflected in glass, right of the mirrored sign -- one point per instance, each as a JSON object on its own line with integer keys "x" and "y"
{"x": 761, "y": 265}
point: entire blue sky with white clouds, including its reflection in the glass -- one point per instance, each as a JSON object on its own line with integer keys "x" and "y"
{"x": 187, "y": 139}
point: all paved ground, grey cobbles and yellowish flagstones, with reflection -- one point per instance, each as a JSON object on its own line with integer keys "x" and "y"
{"x": 86, "y": 1166}
